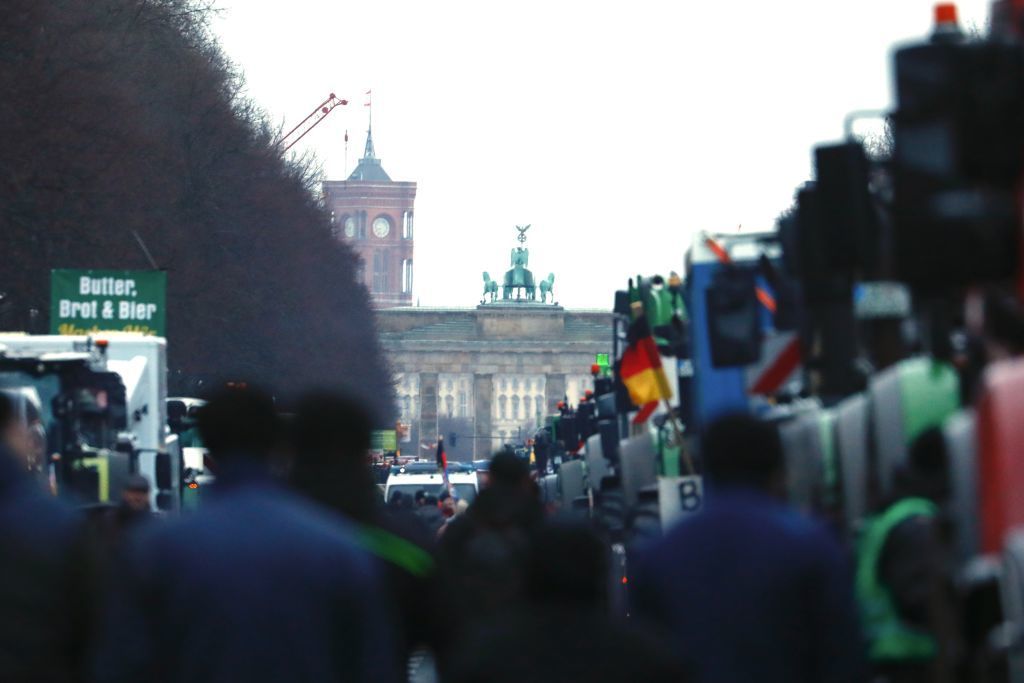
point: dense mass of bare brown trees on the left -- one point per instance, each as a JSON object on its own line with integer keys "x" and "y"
{"x": 124, "y": 118}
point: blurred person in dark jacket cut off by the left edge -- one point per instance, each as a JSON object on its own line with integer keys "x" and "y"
{"x": 45, "y": 572}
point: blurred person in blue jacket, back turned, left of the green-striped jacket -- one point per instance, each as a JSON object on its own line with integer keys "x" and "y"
{"x": 258, "y": 585}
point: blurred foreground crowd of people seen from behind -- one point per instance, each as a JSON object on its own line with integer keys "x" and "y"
{"x": 296, "y": 570}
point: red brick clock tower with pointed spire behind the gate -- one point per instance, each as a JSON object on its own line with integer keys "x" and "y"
{"x": 374, "y": 215}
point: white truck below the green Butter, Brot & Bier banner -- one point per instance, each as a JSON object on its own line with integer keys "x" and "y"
{"x": 100, "y": 401}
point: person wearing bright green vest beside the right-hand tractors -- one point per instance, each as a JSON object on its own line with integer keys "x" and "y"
{"x": 901, "y": 576}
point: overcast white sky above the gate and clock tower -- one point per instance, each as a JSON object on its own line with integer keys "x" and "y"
{"x": 617, "y": 130}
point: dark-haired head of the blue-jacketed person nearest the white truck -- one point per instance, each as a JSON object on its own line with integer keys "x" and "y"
{"x": 240, "y": 423}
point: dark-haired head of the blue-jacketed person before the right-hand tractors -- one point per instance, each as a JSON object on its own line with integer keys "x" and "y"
{"x": 741, "y": 451}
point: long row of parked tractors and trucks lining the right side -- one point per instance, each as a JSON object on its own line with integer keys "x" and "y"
{"x": 887, "y": 306}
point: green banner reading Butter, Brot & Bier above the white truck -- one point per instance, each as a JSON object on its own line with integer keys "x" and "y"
{"x": 88, "y": 302}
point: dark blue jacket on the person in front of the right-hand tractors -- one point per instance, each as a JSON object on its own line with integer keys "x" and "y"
{"x": 753, "y": 592}
